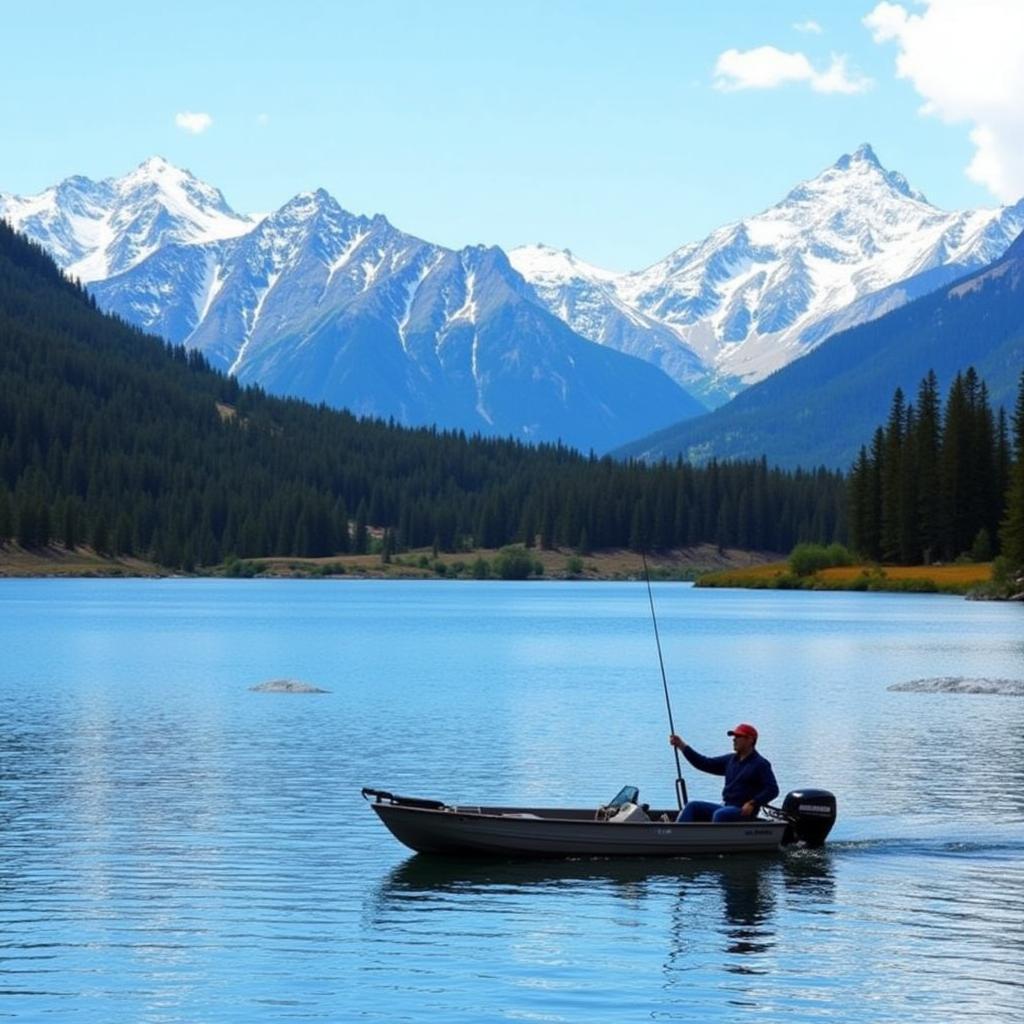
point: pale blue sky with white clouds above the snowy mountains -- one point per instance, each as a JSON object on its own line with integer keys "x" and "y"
{"x": 620, "y": 131}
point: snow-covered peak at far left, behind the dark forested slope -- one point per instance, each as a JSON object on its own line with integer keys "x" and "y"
{"x": 96, "y": 230}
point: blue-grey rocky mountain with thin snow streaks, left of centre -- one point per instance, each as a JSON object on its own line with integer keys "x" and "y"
{"x": 326, "y": 306}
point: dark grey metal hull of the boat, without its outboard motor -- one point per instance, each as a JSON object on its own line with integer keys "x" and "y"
{"x": 525, "y": 832}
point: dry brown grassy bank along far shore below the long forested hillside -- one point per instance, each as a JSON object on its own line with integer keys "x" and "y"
{"x": 685, "y": 564}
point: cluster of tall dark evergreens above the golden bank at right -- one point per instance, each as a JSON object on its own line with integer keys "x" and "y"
{"x": 941, "y": 483}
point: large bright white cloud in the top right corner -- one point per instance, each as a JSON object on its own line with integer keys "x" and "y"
{"x": 966, "y": 60}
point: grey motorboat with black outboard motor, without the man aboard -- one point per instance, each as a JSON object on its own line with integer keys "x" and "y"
{"x": 623, "y": 828}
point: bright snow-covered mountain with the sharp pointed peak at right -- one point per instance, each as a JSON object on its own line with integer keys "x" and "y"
{"x": 843, "y": 248}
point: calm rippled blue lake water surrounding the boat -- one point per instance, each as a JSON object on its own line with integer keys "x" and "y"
{"x": 180, "y": 849}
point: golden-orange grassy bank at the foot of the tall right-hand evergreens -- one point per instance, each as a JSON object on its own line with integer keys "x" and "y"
{"x": 957, "y": 579}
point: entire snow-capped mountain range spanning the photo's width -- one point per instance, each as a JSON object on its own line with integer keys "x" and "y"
{"x": 318, "y": 303}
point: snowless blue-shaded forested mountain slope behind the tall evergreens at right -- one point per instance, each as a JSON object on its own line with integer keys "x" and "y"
{"x": 822, "y": 409}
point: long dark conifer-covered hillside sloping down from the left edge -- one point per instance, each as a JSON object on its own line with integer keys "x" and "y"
{"x": 114, "y": 440}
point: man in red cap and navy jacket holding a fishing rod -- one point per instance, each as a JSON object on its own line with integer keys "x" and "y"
{"x": 750, "y": 783}
